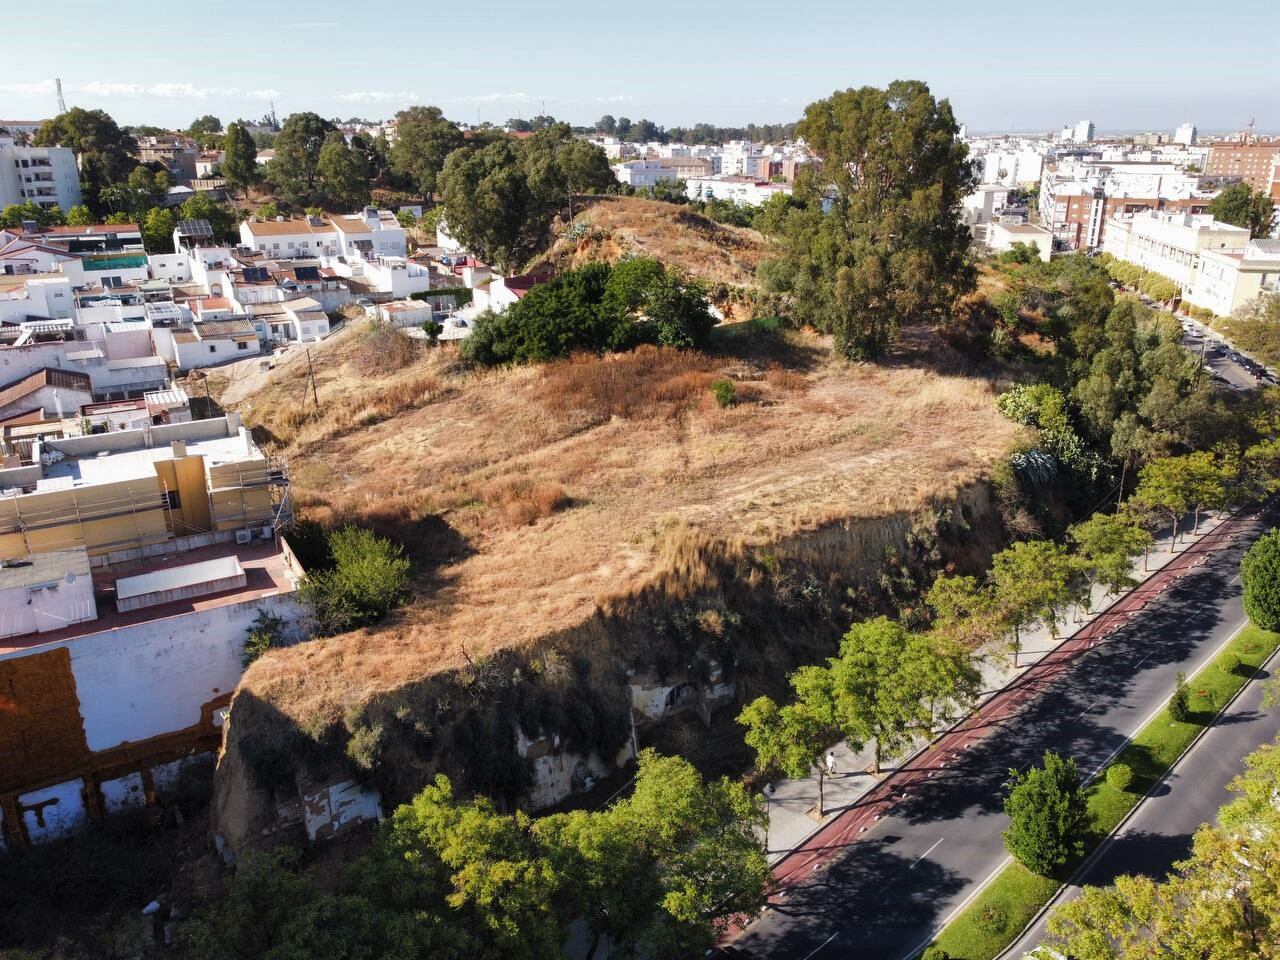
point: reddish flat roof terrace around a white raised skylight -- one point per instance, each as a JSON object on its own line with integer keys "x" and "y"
{"x": 266, "y": 575}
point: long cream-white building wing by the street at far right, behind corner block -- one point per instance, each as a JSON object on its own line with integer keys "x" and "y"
{"x": 1172, "y": 245}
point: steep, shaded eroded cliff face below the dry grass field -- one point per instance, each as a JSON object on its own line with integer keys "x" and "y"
{"x": 534, "y": 725}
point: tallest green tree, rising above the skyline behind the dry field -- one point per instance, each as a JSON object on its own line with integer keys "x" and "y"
{"x": 893, "y": 246}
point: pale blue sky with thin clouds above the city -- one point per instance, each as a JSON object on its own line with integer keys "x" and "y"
{"x": 1130, "y": 65}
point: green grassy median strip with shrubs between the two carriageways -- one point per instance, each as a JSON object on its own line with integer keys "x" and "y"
{"x": 1003, "y": 911}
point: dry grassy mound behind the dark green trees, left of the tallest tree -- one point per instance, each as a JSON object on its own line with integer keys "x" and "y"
{"x": 671, "y": 234}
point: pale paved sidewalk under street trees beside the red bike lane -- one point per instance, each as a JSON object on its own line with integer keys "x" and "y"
{"x": 790, "y": 802}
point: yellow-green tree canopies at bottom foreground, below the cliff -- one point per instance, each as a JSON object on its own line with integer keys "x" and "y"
{"x": 449, "y": 879}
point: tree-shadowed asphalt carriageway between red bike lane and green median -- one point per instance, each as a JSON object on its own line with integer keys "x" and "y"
{"x": 885, "y": 892}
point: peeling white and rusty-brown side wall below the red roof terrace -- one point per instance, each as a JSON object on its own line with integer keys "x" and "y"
{"x": 85, "y": 724}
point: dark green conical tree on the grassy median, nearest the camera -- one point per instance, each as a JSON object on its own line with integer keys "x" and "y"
{"x": 1048, "y": 815}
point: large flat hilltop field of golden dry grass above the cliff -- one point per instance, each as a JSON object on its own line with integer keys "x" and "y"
{"x": 572, "y": 486}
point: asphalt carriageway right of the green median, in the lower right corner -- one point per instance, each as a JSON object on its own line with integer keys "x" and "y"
{"x": 1160, "y": 831}
